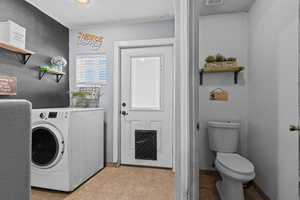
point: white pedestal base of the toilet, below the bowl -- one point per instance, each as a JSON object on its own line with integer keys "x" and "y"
{"x": 230, "y": 189}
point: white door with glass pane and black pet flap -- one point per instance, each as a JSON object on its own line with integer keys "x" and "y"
{"x": 147, "y": 106}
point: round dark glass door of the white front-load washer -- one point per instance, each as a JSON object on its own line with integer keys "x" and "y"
{"x": 47, "y": 146}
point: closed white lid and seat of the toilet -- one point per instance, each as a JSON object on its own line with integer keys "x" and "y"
{"x": 235, "y": 162}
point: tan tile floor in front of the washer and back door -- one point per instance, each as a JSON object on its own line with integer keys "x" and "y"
{"x": 124, "y": 183}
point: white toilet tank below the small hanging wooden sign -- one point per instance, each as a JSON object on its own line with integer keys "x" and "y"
{"x": 223, "y": 136}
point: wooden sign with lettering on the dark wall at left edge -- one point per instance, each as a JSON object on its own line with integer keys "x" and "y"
{"x": 8, "y": 85}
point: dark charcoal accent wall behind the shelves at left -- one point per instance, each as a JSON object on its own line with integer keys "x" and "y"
{"x": 47, "y": 38}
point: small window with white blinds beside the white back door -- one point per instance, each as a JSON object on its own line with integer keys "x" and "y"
{"x": 91, "y": 69}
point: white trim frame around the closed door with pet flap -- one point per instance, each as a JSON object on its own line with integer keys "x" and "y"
{"x": 118, "y": 46}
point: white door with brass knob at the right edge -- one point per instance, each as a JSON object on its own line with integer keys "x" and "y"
{"x": 288, "y": 113}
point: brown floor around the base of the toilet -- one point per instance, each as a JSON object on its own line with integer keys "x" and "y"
{"x": 208, "y": 190}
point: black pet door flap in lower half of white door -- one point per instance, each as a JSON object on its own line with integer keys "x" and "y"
{"x": 146, "y": 144}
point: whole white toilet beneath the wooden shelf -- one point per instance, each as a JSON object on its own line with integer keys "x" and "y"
{"x": 233, "y": 168}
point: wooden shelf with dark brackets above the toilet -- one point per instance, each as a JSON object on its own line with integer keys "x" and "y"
{"x": 235, "y": 70}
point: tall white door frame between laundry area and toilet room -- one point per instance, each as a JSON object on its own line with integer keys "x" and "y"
{"x": 186, "y": 29}
